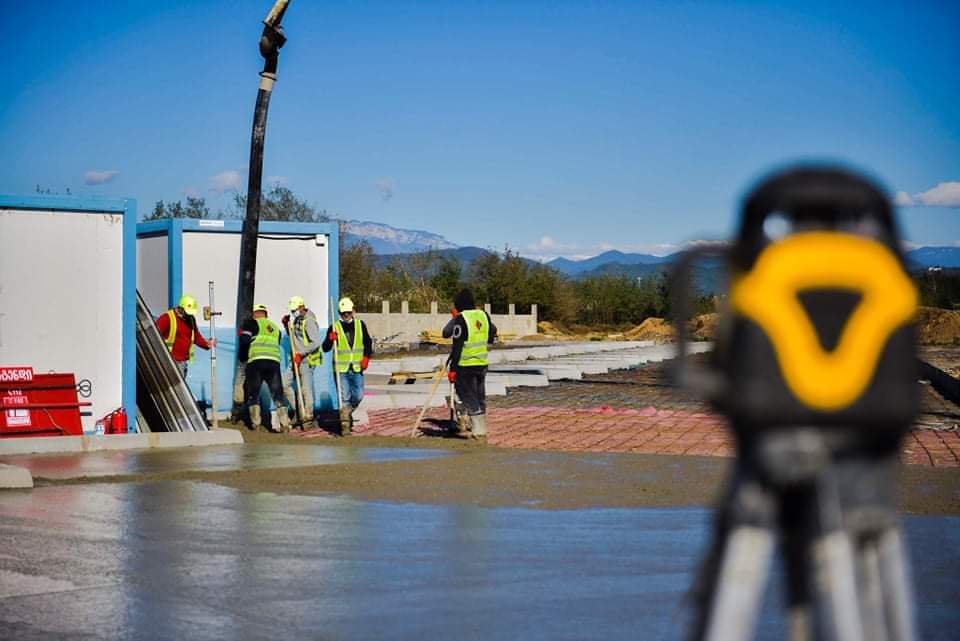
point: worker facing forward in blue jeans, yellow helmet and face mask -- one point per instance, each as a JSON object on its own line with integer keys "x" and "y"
{"x": 354, "y": 348}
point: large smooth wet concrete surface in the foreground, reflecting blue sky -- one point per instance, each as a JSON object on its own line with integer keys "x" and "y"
{"x": 187, "y": 560}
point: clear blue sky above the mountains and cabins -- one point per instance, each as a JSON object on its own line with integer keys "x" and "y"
{"x": 557, "y": 128}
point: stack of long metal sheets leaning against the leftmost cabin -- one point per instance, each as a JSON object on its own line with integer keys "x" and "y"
{"x": 164, "y": 402}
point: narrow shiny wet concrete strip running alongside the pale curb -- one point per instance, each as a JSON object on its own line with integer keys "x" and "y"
{"x": 125, "y": 463}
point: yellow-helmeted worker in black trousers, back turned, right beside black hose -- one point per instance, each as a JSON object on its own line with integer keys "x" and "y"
{"x": 260, "y": 350}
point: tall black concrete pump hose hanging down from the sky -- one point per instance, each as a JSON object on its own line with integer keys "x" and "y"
{"x": 271, "y": 40}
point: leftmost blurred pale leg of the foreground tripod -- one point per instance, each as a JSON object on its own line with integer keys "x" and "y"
{"x": 738, "y": 584}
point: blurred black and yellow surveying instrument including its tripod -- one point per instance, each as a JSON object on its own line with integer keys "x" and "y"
{"x": 815, "y": 368}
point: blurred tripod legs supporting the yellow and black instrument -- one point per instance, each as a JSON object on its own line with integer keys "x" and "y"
{"x": 833, "y": 509}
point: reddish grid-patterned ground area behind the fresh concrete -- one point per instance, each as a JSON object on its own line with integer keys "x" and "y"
{"x": 638, "y": 411}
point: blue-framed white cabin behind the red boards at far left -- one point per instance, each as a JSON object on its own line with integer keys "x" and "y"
{"x": 68, "y": 294}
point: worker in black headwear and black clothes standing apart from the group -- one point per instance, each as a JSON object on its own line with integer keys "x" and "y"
{"x": 472, "y": 332}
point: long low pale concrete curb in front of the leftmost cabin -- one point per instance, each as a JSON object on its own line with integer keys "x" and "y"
{"x": 65, "y": 444}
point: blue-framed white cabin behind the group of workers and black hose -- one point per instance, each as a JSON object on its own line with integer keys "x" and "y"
{"x": 182, "y": 255}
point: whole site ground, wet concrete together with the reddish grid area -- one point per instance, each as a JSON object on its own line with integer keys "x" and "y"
{"x": 584, "y": 516}
